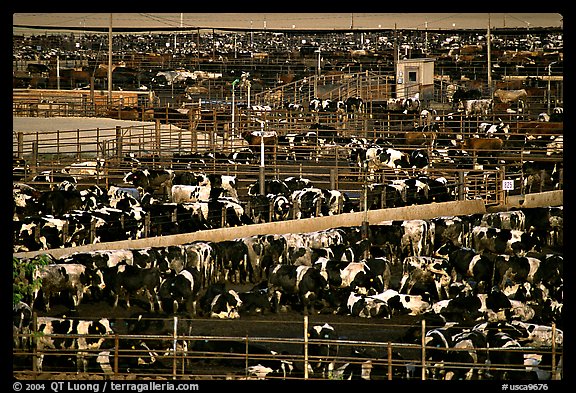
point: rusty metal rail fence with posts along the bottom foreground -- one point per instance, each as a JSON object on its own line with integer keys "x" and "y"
{"x": 189, "y": 356}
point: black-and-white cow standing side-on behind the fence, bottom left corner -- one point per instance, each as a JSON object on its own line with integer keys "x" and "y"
{"x": 54, "y": 331}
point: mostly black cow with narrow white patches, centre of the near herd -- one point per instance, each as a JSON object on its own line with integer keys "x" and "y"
{"x": 304, "y": 282}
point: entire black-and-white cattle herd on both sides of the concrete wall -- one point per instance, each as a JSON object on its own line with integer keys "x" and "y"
{"x": 480, "y": 283}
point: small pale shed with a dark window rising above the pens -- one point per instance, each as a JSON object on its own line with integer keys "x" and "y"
{"x": 415, "y": 76}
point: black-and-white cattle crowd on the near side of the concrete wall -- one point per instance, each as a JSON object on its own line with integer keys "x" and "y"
{"x": 493, "y": 279}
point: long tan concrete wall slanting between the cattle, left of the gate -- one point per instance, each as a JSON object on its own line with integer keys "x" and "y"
{"x": 290, "y": 226}
